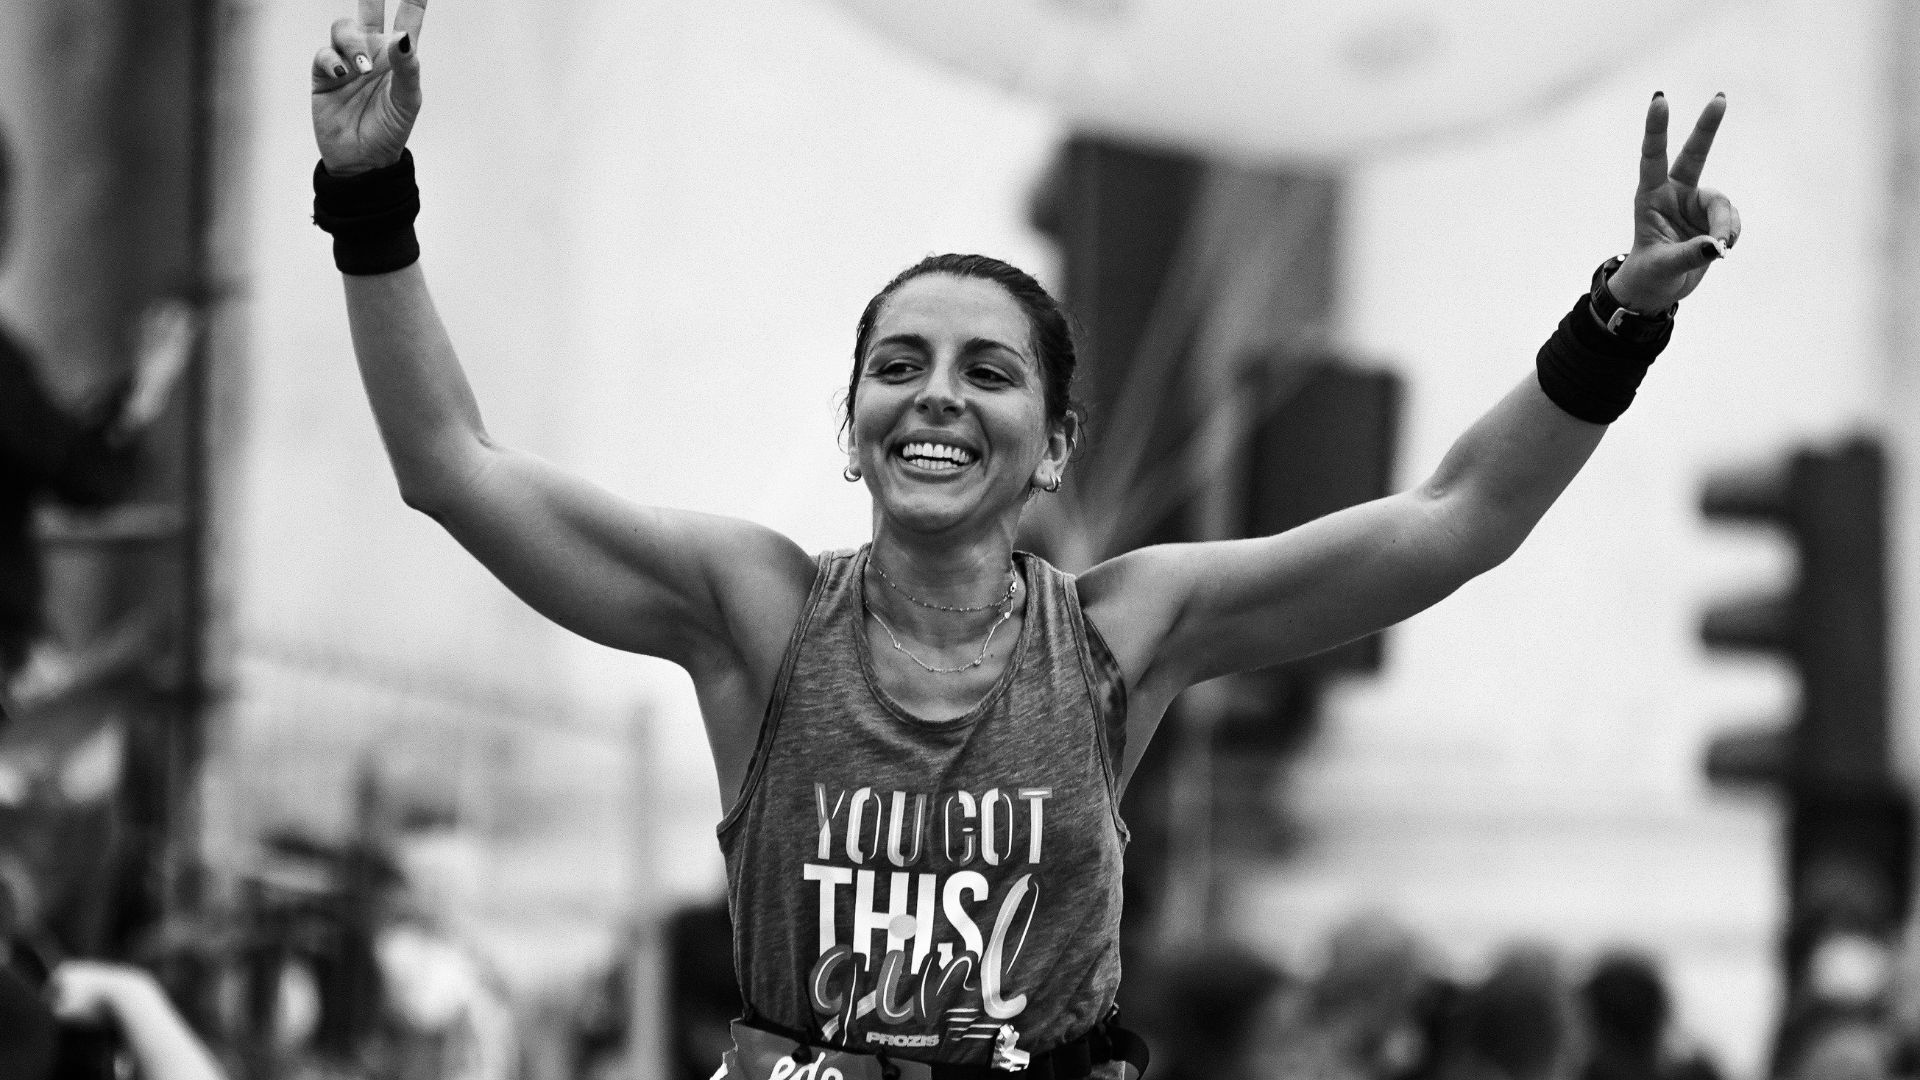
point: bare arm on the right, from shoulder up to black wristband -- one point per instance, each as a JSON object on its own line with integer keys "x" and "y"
{"x": 1189, "y": 612}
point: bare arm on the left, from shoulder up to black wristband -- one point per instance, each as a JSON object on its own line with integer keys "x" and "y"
{"x": 667, "y": 583}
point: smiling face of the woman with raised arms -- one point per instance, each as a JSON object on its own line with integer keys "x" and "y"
{"x": 949, "y": 422}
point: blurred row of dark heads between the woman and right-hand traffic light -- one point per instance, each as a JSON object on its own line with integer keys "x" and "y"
{"x": 1385, "y": 1006}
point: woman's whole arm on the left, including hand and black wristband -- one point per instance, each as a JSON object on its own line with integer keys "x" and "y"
{"x": 713, "y": 595}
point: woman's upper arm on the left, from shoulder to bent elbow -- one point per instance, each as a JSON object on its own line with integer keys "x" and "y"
{"x": 686, "y": 587}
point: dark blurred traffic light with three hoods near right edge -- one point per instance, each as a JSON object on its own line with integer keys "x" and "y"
{"x": 1850, "y": 823}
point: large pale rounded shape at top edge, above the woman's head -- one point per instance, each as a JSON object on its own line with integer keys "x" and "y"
{"x": 1284, "y": 82}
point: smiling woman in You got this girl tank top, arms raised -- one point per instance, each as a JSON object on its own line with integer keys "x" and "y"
{"x": 921, "y": 743}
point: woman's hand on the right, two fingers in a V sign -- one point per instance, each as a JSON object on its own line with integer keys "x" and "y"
{"x": 1679, "y": 226}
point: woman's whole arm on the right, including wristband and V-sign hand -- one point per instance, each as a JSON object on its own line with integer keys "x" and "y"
{"x": 1188, "y": 612}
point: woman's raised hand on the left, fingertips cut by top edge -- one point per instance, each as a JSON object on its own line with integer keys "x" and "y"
{"x": 368, "y": 87}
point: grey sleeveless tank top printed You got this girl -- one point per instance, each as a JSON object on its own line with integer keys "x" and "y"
{"x": 915, "y": 887}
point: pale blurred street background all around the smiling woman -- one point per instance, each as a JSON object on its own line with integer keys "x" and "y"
{"x": 281, "y": 743}
